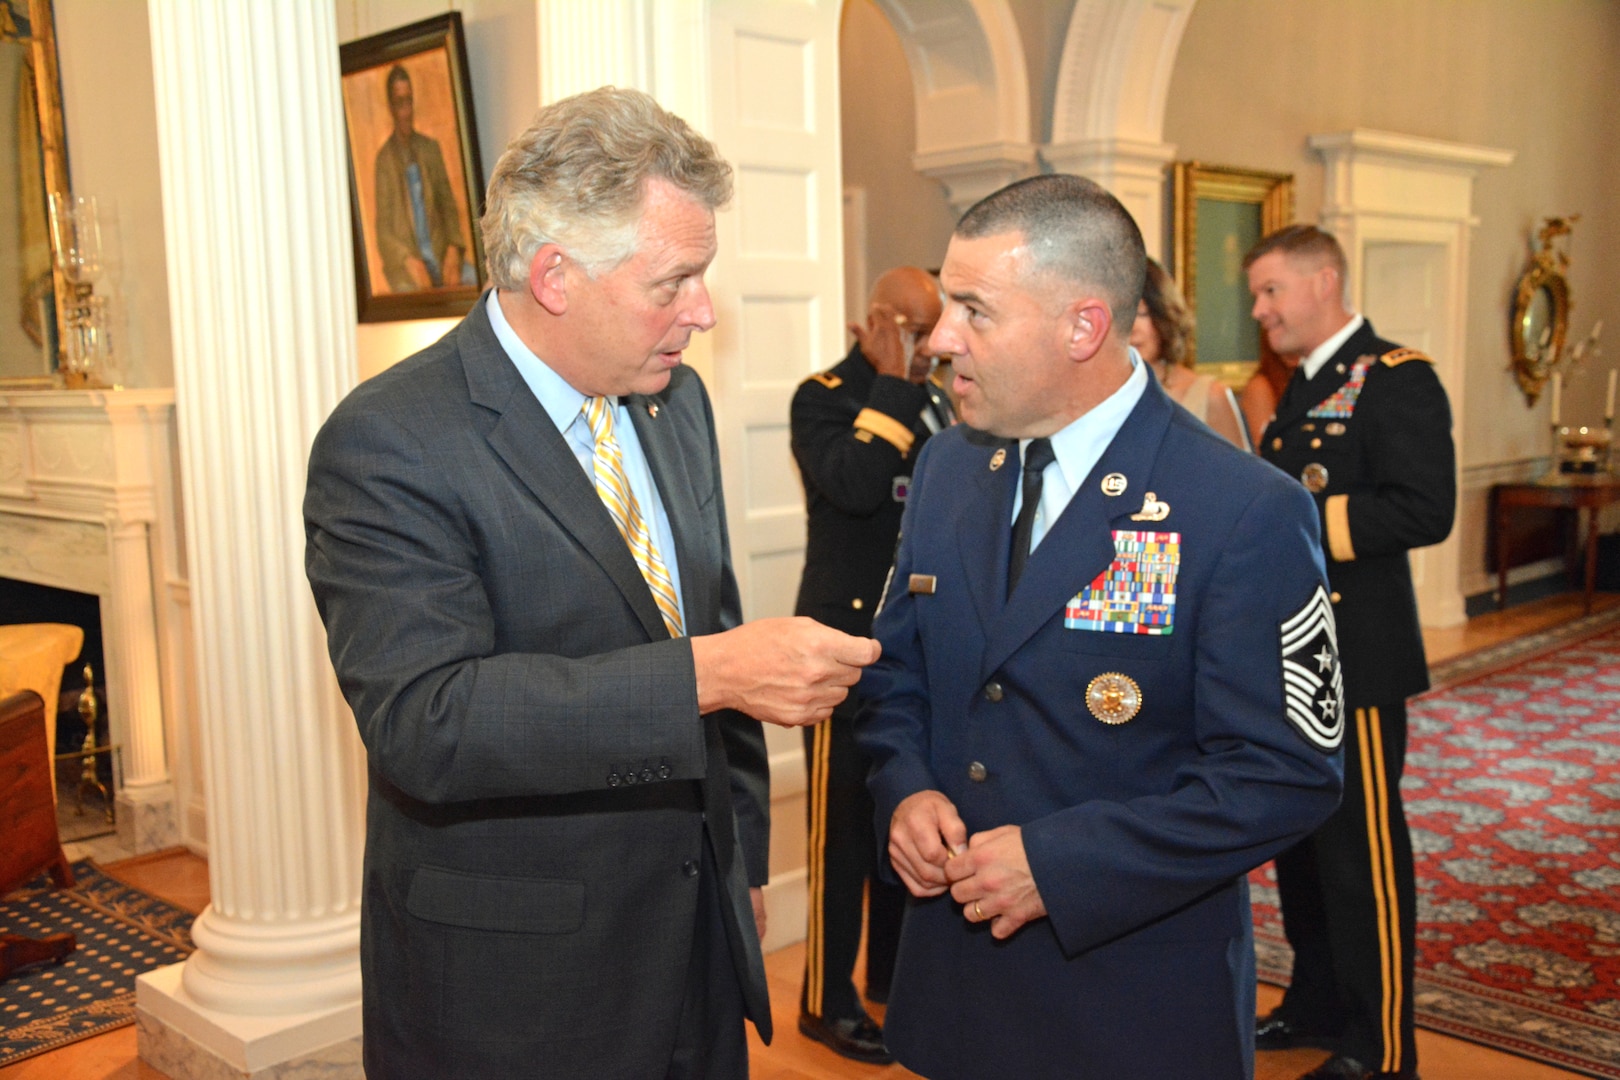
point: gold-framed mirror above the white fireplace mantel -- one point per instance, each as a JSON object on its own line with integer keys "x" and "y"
{"x": 33, "y": 164}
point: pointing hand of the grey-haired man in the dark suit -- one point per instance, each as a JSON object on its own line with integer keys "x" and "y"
{"x": 782, "y": 671}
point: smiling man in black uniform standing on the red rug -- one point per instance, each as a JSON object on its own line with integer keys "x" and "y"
{"x": 1365, "y": 425}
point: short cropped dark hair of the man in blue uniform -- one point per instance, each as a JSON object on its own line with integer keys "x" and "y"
{"x": 1075, "y": 231}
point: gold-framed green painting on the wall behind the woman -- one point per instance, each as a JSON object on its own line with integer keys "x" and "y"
{"x": 1219, "y": 215}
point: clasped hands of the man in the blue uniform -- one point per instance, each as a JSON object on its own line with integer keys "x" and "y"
{"x": 987, "y": 874}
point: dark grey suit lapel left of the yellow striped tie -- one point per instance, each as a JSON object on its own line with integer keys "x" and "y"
{"x": 524, "y": 438}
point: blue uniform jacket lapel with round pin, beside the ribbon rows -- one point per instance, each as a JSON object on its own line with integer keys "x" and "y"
{"x": 1080, "y": 545}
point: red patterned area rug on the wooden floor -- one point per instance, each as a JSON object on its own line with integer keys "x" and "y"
{"x": 1514, "y": 801}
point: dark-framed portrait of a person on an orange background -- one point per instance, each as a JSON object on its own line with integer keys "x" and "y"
{"x": 416, "y": 184}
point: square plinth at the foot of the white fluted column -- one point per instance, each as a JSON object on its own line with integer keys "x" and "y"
{"x": 189, "y": 1042}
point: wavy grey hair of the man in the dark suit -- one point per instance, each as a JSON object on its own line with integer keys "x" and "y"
{"x": 578, "y": 179}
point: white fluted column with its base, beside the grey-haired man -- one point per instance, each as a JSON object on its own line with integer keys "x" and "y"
{"x": 263, "y": 308}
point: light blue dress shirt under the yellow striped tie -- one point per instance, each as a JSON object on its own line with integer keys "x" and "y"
{"x": 566, "y": 409}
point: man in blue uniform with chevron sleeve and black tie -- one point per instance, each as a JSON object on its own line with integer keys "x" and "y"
{"x": 1088, "y": 723}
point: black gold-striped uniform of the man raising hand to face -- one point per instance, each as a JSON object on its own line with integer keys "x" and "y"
{"x": 855, "y": 436}
